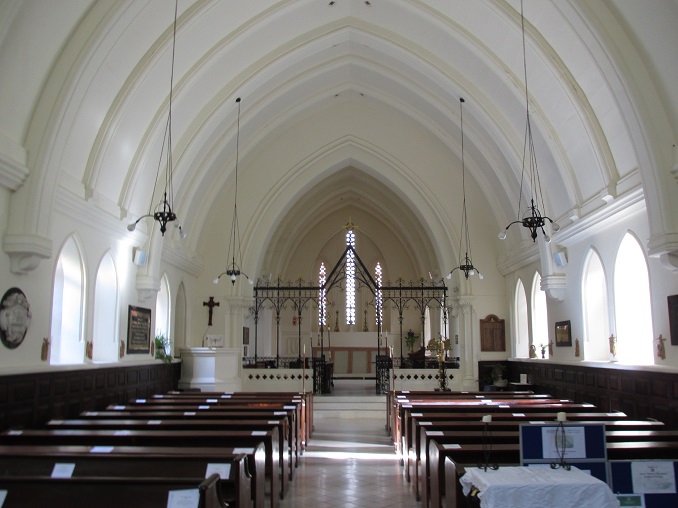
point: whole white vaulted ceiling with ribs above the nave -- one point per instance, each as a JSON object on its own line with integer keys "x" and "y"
{"x": 341, "y": 100}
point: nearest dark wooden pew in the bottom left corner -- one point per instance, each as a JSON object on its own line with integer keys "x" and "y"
{"x": 105, "y": 492}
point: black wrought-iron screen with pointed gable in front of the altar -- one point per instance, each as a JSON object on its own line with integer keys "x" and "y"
{"x": 278, "y": 295}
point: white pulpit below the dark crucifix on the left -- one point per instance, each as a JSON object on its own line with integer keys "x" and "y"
{"x": 211, "y": 369}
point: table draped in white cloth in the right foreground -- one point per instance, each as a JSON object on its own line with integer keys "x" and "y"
{"x": 537, "y": 487}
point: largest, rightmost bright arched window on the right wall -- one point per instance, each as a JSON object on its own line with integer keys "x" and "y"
{"x": 632, "y": 304}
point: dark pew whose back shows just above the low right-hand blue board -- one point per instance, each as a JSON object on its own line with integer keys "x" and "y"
{"x": 509, "y": 454}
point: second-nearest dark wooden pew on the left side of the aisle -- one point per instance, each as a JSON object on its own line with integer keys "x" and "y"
{"x": 40, "y": 461}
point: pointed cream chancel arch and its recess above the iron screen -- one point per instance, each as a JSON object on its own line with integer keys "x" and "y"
{"x": 350, "y": 180}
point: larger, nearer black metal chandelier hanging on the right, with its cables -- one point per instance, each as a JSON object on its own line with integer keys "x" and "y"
{"x": 532, "y": 218}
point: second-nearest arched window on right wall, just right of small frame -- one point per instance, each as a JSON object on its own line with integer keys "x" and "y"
{"x": 595, "y": 308}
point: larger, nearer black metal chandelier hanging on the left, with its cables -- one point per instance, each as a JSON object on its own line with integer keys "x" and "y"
{"x": 164, "y": 212}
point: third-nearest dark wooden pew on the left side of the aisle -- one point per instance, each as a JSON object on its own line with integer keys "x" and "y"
{"x": 177, "y": 438}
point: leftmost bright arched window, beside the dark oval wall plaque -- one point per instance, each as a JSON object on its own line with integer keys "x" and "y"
{"x": 67, "y": 307}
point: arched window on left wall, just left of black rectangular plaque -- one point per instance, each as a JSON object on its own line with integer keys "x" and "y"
{"x": 105, "y": 333}
